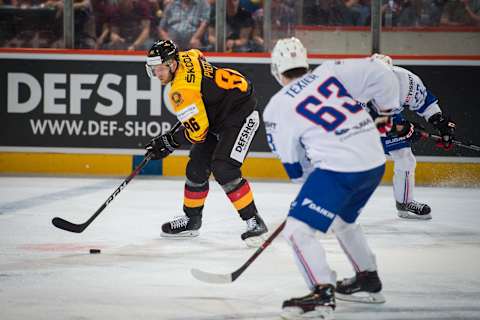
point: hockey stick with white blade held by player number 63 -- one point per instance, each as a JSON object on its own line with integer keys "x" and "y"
{"x": 230, "y": 277}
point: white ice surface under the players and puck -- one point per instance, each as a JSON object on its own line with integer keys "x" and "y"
{"x": 430, "y": 269}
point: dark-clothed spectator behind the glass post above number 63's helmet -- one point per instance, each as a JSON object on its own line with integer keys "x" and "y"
{"x": 283, "y": 22}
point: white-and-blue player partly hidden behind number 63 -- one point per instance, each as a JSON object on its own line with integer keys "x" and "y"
{"x": 415, "y": 97}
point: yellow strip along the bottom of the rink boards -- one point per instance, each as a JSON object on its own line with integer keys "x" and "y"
{"x": 430, "y": 170}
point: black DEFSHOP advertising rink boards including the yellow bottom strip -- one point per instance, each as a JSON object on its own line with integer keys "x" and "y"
{"x": 89, "y": 113}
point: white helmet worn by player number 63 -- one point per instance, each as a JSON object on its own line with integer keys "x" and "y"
{"x": 288, "y": 53}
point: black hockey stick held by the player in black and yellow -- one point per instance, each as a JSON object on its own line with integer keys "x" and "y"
{"x": 78, "y": 228}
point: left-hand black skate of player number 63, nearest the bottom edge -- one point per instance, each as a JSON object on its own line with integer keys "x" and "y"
{"x": 317, "y": 305}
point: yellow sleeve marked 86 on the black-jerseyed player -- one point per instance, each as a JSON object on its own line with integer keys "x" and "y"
{"x": 190, "y": 110}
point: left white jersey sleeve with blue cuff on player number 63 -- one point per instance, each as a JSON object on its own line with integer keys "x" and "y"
{"x": 285, "y": 142}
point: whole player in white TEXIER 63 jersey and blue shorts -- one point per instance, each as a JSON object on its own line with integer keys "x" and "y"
{"x": 323, "y": 135}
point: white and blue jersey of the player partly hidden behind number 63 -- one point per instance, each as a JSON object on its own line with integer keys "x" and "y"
{"x": 414, "y": 95}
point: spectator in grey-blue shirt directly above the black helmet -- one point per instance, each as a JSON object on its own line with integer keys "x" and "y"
{"x": 185, "y": 22}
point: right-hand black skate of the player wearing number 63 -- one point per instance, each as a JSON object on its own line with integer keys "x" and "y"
{"x": 364, "y": 287}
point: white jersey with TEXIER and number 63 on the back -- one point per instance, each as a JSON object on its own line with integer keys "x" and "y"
{"x": 316, "y": 117}
